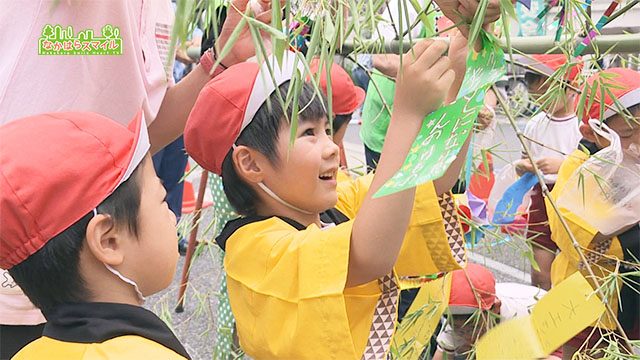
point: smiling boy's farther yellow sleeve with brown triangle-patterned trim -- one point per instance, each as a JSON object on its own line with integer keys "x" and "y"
{"x": 426, "y": 249}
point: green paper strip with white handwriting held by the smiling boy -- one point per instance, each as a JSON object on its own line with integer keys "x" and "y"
{"x": 444, "y": 131}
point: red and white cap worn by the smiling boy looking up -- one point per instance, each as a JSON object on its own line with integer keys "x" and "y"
{"x": 228, "y": 103}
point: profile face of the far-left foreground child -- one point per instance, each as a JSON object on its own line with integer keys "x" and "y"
{"x": 154, "y": 254}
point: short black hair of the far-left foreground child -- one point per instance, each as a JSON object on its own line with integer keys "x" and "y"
{"x": 51, "y": 276}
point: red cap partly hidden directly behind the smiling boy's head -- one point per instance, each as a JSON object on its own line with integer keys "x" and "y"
{"x": 346, "y": 97}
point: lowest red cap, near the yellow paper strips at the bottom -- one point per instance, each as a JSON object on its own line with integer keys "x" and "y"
{"x": 462, "y": 300}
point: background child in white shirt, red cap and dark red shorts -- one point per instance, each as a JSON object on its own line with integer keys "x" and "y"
{"x": 553, "y": 134}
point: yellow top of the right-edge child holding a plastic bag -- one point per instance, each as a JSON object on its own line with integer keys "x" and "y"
{"x": 566, "y": 262}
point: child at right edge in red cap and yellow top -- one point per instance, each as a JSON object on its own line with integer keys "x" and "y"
{"x": 619, "y": 112}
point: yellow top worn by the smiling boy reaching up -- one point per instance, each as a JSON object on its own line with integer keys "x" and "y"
{"x": 287, "y": 286}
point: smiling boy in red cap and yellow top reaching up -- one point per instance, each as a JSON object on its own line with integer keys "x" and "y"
{"x": 307, "y": 278}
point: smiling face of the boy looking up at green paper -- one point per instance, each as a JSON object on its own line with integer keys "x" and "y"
{"x": 305, "y": 175}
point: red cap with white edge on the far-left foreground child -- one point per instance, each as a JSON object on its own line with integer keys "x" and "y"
{"x": 55, "y": 168}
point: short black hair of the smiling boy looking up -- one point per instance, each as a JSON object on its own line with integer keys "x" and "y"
{"x": 262, "y": 134}
